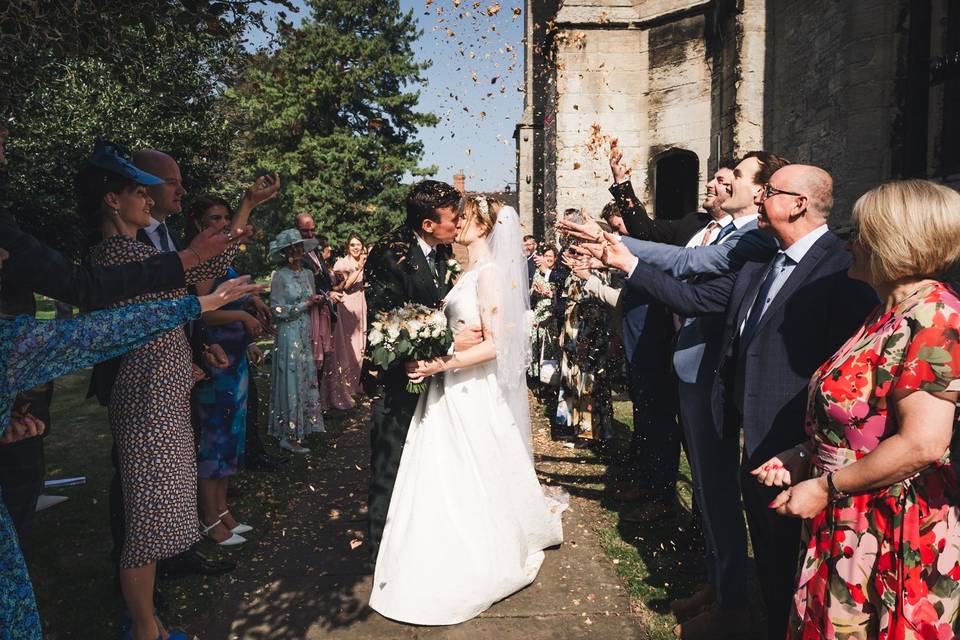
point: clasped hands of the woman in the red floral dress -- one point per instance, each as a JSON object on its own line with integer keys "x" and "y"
{"x": 800, "y": 498}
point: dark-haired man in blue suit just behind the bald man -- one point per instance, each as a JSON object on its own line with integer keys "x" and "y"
{"x": 724, "y": 245}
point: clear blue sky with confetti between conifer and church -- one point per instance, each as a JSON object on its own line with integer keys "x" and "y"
{"x": 473, "y": 85}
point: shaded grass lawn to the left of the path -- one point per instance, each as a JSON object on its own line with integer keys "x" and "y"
{"x": 69, "y": 549}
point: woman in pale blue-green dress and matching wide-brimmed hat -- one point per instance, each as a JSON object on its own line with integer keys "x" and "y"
{"x": 294, "y": 395}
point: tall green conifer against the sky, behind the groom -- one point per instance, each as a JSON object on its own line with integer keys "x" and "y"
{"x": 333, "y": 109}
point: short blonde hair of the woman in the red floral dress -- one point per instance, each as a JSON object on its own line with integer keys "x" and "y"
{"x": 911, "y": 229}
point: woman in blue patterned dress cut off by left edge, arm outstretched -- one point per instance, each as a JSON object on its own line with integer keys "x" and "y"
{"x": 33, "y": 352}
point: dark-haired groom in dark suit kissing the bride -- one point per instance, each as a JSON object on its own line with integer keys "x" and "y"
{"x": 409, "y": 264}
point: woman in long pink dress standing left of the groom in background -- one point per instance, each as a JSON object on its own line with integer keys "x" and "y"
{"x": 341, "y": 374}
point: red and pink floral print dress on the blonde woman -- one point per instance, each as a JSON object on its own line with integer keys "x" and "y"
{"x": 884, "y": 563}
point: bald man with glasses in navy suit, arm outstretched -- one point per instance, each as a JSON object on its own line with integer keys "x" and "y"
{"x": 782, "y": 319}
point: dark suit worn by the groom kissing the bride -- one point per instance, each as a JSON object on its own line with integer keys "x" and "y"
{"x": 397, "y": 272}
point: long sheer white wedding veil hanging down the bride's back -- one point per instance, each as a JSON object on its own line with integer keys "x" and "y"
{"x": 510, "y": 322}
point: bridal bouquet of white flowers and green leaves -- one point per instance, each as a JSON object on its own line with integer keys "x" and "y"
{"x": 410, "y": 332}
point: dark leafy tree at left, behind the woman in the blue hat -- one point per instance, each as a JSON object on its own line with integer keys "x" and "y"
{"x": 172, "y": 105}
